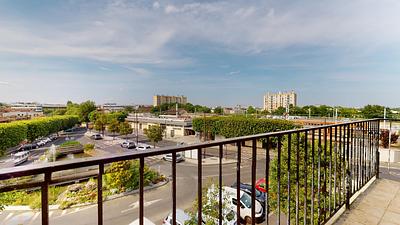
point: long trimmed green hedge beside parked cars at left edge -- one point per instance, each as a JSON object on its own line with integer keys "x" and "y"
{"x": 12, "y": 134}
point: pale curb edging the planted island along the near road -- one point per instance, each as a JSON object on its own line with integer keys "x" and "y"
{"x": 108, "y": 198}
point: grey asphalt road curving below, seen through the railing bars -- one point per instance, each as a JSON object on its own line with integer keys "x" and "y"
{"x": 158, "y": 202}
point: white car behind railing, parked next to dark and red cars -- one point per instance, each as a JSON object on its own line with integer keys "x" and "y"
{"x": 245, "y": 205}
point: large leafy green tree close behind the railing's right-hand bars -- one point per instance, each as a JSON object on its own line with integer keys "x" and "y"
{"x": 305, "y": 164}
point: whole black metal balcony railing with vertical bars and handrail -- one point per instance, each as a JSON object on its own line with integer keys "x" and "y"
{"x": 310, "y": 173}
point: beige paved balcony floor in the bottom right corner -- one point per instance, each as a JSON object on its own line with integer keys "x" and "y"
{"x": 379, "y": 204}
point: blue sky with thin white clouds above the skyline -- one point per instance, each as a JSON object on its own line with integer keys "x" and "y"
{"x": 214, "y": 52}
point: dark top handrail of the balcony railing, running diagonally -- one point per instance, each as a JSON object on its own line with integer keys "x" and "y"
{"x": 13, "y": 172}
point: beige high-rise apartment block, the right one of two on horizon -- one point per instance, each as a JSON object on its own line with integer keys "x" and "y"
{"x": 273, "y": 101}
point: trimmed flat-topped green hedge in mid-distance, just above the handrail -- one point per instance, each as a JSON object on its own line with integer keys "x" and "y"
{"x": 236, "y": 126}
